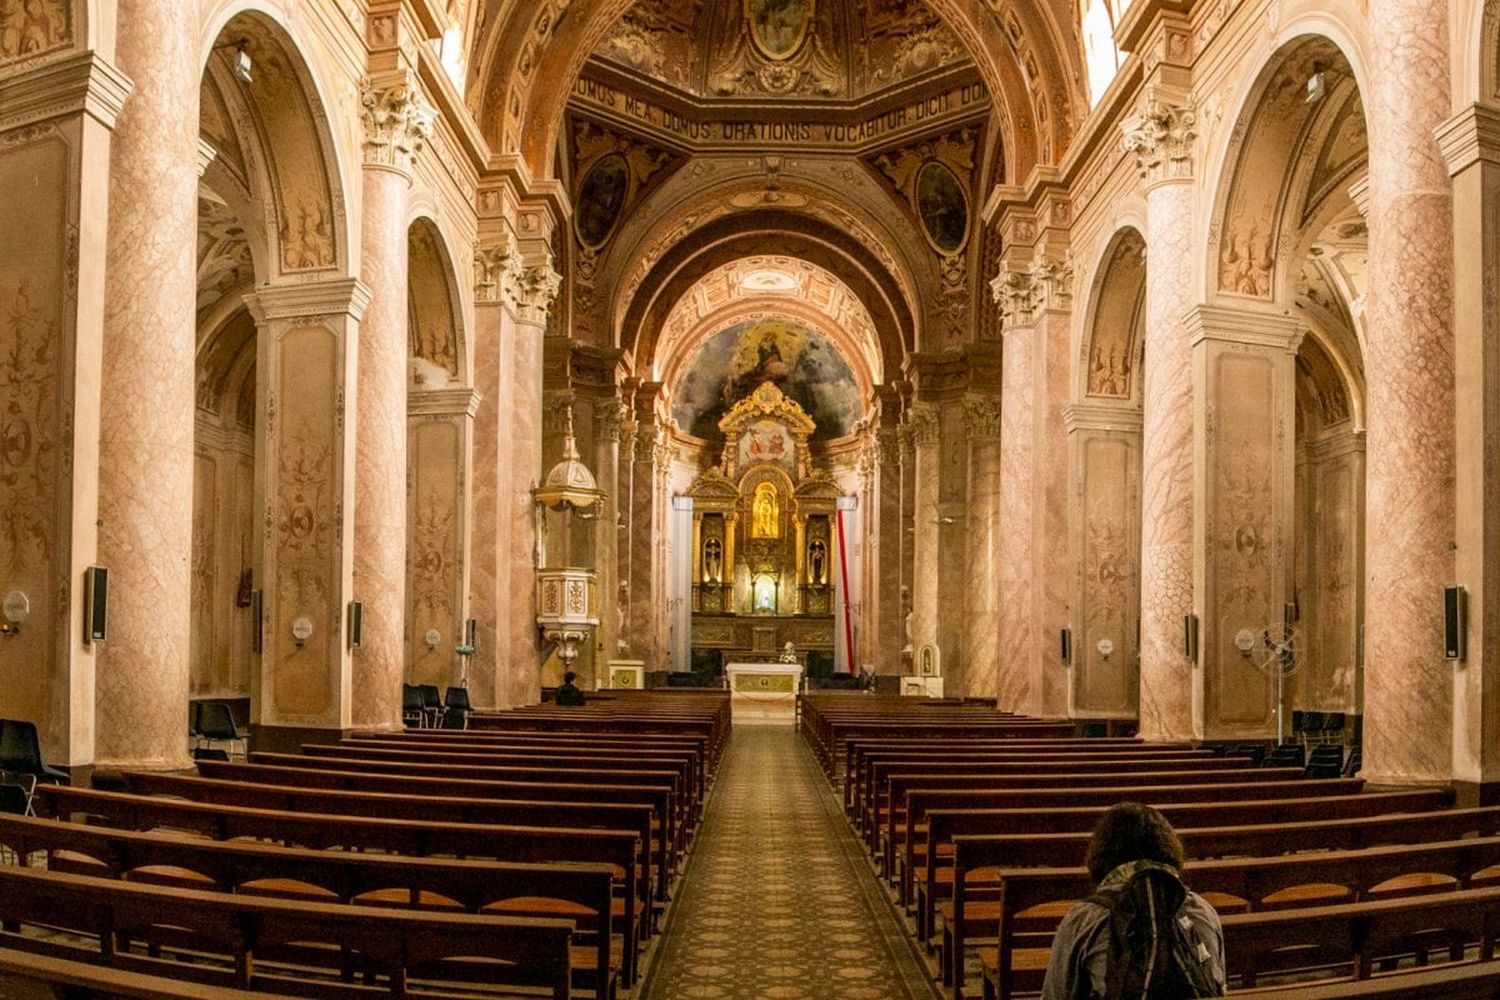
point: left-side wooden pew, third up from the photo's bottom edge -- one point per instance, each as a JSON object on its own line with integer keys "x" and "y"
{"x": 580, "y": 891}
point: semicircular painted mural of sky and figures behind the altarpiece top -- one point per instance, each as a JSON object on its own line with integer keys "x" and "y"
{"x": 803, "y": 364}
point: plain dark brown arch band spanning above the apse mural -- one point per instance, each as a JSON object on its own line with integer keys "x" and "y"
{"x": 757, "y": 233}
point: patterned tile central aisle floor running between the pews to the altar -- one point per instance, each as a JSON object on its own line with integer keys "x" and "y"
{"x": 779, "y": 902}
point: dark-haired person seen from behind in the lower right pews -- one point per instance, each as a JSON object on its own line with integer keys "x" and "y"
{"x": 1142, "y": 935}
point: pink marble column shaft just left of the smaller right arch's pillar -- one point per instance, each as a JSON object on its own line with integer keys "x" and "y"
{"x": 1018, "y": 684}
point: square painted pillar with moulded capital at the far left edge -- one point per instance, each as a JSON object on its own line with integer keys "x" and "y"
{"x": 55, "y": 124}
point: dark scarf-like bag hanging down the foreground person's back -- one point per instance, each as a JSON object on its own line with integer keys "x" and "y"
{"x": 1154, "y": 953}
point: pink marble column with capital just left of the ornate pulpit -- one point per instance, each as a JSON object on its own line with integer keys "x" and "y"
{"x": 539, "y": 286}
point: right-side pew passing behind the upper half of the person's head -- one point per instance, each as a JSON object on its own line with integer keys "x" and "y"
{"x": 979, "y": 860}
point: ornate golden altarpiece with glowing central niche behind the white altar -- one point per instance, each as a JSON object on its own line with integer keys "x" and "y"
{"x": 764, "y": 539}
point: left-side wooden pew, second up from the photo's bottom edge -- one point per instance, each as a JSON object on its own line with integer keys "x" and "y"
{"x": 239, "y": 930}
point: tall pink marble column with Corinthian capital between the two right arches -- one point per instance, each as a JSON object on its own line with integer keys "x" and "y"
{"x": 1162, "y": 139}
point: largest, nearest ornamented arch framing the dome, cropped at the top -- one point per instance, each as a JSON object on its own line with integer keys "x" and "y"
{"x": 1024, "y": 55}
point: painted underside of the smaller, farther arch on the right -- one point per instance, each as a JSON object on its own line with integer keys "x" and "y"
{"x": 1115, "y": 320}
